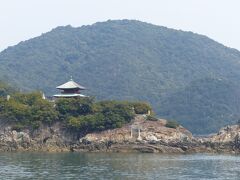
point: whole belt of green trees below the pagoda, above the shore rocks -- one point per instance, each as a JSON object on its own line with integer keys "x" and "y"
{"x": 83, "y": 115}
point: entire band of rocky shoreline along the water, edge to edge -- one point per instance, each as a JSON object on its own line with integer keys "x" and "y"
{"x": 139, "y": 136}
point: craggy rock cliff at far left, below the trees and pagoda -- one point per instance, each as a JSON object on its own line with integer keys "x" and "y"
{"x": 44, "y": 139}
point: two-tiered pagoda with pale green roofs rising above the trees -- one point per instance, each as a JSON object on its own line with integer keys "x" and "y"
{"x": 70, "y": 89}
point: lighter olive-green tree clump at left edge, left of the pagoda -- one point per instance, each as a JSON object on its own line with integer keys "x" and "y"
{"x": 27, "y": 110}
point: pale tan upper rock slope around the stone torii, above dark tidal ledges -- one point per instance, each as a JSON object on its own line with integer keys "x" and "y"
{"x": 150, "y": 131}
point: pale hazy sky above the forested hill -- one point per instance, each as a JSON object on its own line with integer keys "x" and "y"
{"x": 24, "y": 19}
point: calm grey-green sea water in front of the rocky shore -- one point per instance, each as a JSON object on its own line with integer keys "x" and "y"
{"x": 117, "y": 166}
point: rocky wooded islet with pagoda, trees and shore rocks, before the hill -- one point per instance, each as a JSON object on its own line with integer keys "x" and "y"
{"x": 75, "y": 122}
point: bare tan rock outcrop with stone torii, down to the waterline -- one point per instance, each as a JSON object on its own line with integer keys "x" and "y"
{"x": 140, "y": 135}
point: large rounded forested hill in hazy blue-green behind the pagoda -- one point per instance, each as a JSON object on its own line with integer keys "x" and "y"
{"x": 185, "y": 76}
